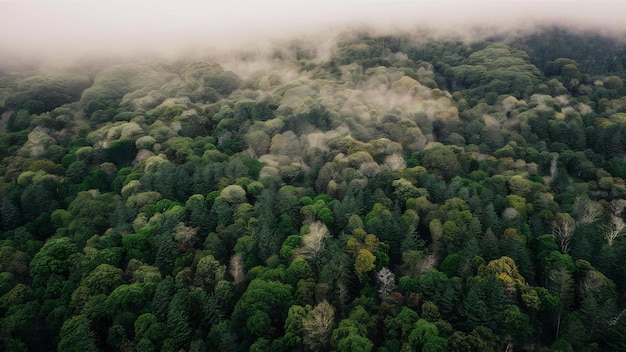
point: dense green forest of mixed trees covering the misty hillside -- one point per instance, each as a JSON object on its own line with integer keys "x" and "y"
{"x": 401, "y": 192}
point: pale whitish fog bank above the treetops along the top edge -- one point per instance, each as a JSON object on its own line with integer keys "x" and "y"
{"x": 60, "y": 31}
